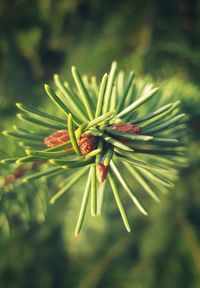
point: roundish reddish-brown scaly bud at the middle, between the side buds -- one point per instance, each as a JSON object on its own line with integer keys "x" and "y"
{"x": 87, "y": 143}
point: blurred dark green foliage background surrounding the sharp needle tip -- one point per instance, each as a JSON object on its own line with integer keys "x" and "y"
{"x": 159, "y": 40}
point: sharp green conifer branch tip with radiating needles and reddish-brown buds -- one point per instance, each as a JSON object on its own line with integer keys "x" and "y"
{"x": 94, "y": 135}
